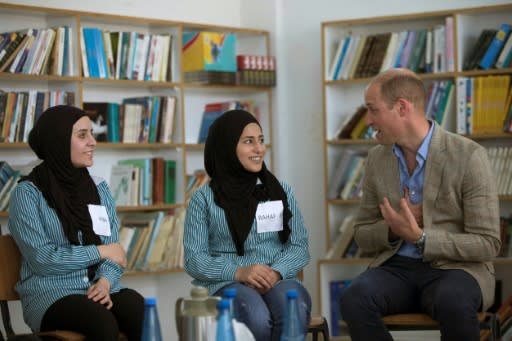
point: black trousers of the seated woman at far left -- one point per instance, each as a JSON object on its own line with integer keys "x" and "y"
{"x": 79, "y": 313}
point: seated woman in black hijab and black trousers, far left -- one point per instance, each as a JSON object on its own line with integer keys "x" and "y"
{"x": 64, "y": 222}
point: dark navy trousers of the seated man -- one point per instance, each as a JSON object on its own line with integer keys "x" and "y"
{"x": 406, "y": 285}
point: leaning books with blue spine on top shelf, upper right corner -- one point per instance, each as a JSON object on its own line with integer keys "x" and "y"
{"x": 489, "y": 50}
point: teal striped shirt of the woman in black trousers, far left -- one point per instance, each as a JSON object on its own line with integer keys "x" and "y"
{"x": 51, "y": 267}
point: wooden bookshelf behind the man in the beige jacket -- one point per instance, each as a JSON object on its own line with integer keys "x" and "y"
{"x": 341, "y": 97}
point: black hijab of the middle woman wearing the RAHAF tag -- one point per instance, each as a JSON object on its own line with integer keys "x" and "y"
{"x": 234, "y": 187}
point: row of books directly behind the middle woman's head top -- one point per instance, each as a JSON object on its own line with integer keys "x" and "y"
{"x": 213, "y": 110}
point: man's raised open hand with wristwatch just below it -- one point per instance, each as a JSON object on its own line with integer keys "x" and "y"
{"x": 402, "y": 223}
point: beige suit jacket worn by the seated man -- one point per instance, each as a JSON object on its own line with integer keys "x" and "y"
{"x": 460, "y": 208}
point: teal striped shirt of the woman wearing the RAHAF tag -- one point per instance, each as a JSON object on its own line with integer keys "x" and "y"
{"x": 210, "y": 254}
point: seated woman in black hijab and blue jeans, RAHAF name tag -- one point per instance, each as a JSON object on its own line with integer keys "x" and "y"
{"x": 244, "y": 230}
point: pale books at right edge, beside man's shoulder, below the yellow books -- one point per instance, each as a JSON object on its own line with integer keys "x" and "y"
{"x": 501, "y": 163}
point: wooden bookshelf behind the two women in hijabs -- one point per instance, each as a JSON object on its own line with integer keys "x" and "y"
{"x": 191, "y": 98}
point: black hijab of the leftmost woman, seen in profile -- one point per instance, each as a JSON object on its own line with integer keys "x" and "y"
{"x": 66, "y": 189}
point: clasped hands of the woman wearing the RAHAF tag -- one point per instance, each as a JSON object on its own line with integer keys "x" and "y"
{"x": 260, "y": 277}
